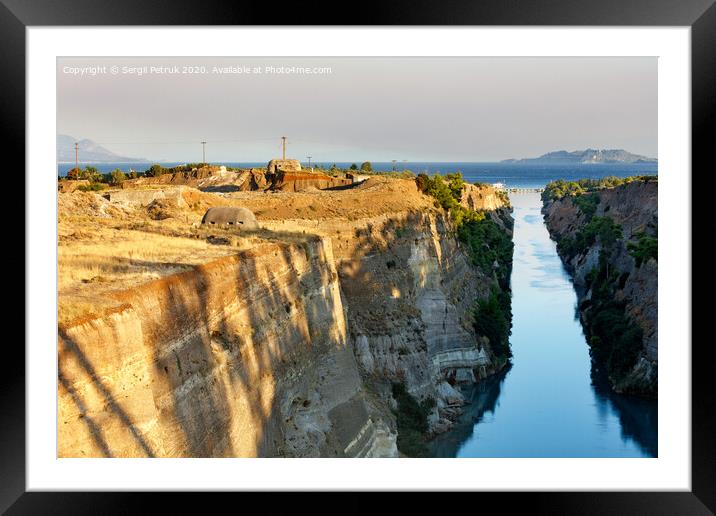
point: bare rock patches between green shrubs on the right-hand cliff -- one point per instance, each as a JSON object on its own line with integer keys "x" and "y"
{"x": 634, "y": 207}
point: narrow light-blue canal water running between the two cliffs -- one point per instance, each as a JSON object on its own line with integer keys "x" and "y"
{"x": 552, "y": 402}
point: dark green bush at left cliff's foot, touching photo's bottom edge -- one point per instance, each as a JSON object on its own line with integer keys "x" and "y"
{"x": 412, "y": 419}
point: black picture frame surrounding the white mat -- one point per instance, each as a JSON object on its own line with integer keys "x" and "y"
{"x": 700, "y": 15}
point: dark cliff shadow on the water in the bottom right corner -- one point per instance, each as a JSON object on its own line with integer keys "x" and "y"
{"x": 638, "y": 417}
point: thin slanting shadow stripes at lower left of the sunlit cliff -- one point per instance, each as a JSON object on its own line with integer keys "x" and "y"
{"x": 110, "y": 402}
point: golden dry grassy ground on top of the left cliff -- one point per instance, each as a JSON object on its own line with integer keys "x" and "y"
{"x": 108, "y": 246}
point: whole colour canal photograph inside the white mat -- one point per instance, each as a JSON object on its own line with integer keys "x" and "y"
{"x": 357, "y": 257}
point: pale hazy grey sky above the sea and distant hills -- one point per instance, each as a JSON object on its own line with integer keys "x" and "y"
{"x": 376, "y": 109}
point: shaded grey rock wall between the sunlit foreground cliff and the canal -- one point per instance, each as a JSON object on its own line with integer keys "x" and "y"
{"x": 409, "y": 291}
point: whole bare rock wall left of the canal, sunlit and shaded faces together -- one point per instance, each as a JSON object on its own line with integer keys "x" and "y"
{"x": 288, "y": 348}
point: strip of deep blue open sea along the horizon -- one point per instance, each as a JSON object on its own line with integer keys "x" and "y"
{"x": 514, "y": 176}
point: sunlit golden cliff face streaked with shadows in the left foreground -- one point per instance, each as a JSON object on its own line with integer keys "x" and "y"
{"x": 244, "y": 356}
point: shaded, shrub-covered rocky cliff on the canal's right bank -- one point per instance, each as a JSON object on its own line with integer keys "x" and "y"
{"x": 607, "y": 241}
